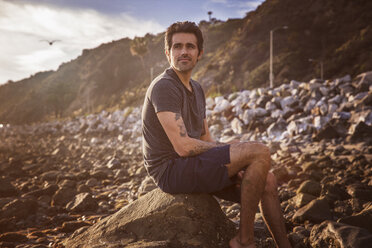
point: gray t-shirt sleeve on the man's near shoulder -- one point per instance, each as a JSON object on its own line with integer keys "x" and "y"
{"x": 165, "y": 96}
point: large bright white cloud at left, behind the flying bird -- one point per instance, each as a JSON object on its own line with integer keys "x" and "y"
{"x": 24, "y": 25}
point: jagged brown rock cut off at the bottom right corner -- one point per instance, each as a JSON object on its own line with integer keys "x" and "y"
{"x": 329, "y": 233}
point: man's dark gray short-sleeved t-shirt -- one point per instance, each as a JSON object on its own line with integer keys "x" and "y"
{"x": 168, "y": 93}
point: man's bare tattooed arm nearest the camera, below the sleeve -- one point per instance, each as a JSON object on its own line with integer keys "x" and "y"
{"x": 175, "y": 129}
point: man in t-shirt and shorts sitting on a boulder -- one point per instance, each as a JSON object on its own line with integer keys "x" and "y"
{"x": 181, "y": 156}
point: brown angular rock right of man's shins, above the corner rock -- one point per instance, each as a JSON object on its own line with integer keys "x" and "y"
{"x": 316, "y": 211}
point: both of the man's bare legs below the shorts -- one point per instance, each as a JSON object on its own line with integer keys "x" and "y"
{"x": 256, "y": 185}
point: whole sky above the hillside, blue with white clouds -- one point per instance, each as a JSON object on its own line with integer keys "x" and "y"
{"x": 26, "y": 26}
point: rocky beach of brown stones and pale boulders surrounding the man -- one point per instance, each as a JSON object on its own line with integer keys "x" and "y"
{"x": 62, "y": 177}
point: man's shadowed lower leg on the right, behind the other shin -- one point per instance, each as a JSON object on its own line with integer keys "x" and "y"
{"x": 272, "y": 214}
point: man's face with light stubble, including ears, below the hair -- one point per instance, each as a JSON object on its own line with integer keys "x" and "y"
{"x": 184, "y": 53}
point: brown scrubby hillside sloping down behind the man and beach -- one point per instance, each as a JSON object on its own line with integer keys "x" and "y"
{"x": 111, "y": 76}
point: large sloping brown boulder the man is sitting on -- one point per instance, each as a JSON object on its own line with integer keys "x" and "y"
{"x": 181, "y": 220}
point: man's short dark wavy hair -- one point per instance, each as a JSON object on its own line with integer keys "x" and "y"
{"x": 183, "y": 27}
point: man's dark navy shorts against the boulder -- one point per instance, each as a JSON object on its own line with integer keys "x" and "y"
{"x": 204, "y": 173}
